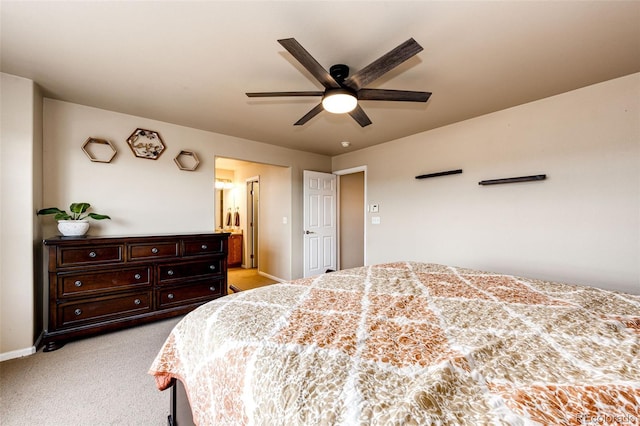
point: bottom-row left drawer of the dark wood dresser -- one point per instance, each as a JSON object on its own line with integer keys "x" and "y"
{"x": 103, "y": 308}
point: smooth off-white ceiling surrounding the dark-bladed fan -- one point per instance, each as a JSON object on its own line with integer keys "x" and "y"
{"x": 190, "y": 63}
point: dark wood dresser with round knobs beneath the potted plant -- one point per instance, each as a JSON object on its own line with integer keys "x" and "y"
{"x": 99, "y": 284}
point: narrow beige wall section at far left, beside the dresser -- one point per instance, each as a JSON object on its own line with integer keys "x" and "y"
{"x": 20, "y": 168}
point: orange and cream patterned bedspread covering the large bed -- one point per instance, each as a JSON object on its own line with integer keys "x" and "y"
{"x": 410, "y": 344}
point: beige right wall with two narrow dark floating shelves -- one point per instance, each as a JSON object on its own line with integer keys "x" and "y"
{"x": 581, "y": 225}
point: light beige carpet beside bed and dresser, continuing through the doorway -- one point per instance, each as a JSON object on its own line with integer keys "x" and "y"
{"x": 96, "y": 381}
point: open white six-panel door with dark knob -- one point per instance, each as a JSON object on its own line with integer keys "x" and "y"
{"x": 320, "y": 243}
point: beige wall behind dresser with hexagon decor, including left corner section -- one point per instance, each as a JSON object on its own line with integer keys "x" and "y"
{"x": 142, "y": 196}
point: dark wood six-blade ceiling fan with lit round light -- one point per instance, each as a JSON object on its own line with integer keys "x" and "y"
{"x": 342, "y": 92}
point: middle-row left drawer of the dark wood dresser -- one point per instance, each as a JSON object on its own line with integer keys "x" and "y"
{"x": 81, "y": 284}
